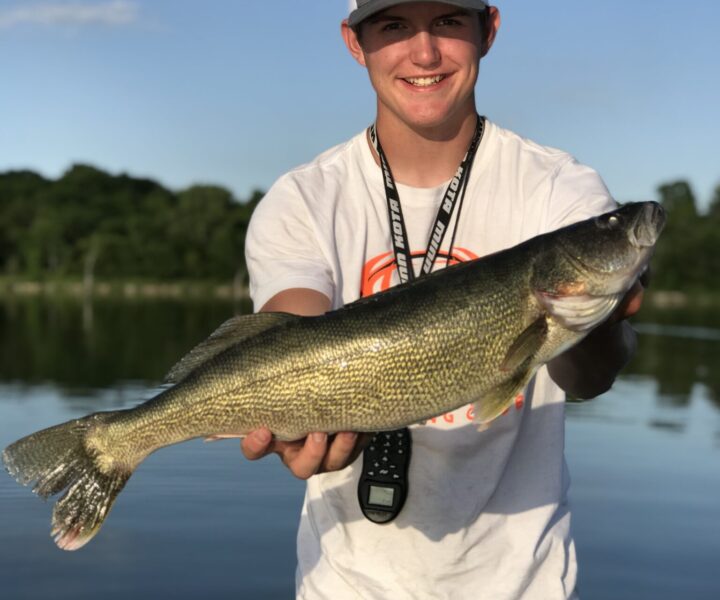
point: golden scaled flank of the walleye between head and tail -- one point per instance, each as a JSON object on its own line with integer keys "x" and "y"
{"x": 360, "y": 374}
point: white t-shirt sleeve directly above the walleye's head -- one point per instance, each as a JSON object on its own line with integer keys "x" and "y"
{"x": 577, "y": 193}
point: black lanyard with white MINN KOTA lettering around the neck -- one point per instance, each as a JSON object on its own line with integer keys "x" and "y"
{"x": 453, "y": 195}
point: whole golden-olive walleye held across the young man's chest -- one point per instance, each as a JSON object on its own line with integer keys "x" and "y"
{"x": 474, "y": 332}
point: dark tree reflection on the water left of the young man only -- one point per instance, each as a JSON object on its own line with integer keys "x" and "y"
{"x": 43, "y": 340}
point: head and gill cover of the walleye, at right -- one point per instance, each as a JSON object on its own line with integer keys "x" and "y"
{"x": 583, "y": 270}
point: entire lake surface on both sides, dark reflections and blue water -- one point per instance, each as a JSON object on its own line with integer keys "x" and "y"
{"x": 197, "y": 519}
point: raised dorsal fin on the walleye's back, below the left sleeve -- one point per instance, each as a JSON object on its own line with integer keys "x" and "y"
{"x": 230, "y": 332}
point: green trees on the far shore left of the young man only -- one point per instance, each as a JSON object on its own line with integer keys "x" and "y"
{"x": 117, "y": 226}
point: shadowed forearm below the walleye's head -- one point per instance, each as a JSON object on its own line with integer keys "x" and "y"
{"x": 590, "y": 368}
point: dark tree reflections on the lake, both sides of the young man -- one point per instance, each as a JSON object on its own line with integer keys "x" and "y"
{"x": 55, "y": 341}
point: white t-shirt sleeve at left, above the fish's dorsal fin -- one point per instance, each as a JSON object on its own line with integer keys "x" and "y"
{"x": 282, "y": 249}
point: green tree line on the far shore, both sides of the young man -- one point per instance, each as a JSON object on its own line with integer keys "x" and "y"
{"x": 89, "y": 222}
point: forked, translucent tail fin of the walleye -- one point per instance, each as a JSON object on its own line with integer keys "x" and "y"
{"x": 58, "y": 458}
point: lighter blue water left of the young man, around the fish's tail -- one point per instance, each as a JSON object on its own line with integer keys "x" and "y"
{"x": 195, "y": 520}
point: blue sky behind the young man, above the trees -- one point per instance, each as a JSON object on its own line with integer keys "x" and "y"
{"x": 237, "y": 92}
